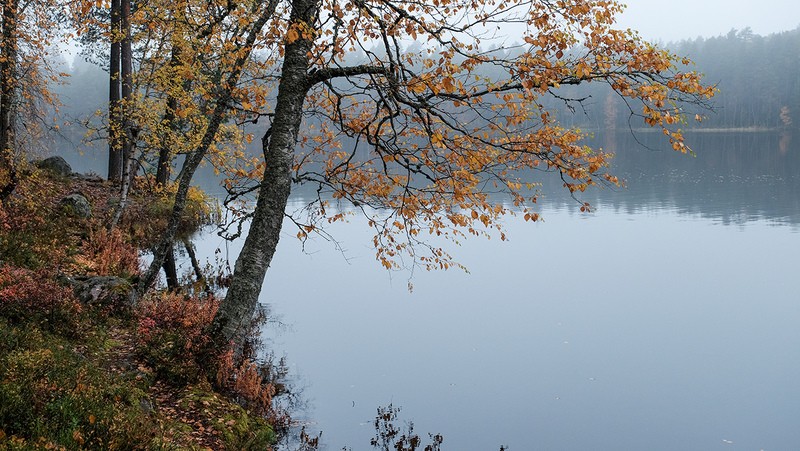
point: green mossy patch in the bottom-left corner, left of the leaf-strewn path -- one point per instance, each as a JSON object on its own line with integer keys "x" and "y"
{"x": 50, "y": 390}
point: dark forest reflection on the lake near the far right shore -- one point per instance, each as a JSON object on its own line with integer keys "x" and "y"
{"x": 733, "y": 178}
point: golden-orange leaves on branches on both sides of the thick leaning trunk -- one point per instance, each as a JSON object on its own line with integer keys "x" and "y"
{"x": 445, "y": 124}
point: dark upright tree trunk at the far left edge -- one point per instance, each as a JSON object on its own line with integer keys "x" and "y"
{"x": 7, "y": 94}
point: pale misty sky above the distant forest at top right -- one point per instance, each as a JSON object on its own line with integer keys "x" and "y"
{"x": 679, "y": 19}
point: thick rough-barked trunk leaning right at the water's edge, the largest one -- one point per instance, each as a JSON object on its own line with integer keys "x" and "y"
{"x": 236, "y": 311}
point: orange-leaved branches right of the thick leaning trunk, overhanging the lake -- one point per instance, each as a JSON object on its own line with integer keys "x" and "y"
{"x": 452, "y": 124}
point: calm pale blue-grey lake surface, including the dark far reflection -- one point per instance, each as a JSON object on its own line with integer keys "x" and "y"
{"x": 667, "y": 320}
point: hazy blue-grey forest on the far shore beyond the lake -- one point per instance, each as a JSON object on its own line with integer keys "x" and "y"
{"x": 758, "y": 79}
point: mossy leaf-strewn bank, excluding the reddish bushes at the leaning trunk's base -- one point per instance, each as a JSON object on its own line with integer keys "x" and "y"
{"x": 77, "y": 379}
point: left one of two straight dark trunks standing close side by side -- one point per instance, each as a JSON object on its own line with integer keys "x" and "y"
{"x": 114, "y": 113}
